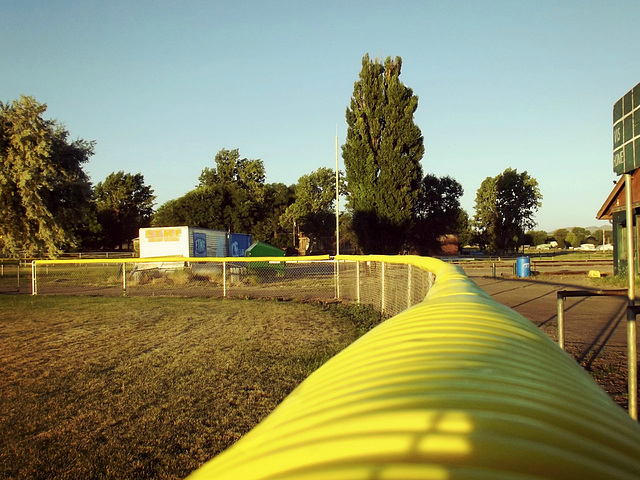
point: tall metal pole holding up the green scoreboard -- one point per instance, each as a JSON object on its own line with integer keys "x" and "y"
{"x": 631, "y": 318}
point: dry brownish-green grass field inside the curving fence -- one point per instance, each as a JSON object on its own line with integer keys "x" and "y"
{"x": 149, "y": 387}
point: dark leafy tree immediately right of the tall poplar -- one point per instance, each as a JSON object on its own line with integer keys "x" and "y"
{"x": 437, "y": 212}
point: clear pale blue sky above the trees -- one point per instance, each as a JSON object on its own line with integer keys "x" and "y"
{"x": 161, "y": 86}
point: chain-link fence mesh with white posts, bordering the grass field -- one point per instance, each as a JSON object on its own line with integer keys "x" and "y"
{"x": 388, "y": 287}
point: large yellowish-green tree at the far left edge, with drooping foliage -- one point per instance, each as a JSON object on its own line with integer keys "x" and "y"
{"x": 44, "y": 192}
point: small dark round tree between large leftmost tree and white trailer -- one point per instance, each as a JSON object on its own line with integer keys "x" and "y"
{"x": 124, "y": 204}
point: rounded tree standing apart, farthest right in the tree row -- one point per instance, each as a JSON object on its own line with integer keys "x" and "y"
{"x": 505, "y": 206}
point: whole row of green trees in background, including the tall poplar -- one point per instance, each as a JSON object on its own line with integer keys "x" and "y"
{"x": 48, "y": 204}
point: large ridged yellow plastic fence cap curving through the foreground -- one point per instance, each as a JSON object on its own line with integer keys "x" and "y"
{"x": 457, "y": 387}
